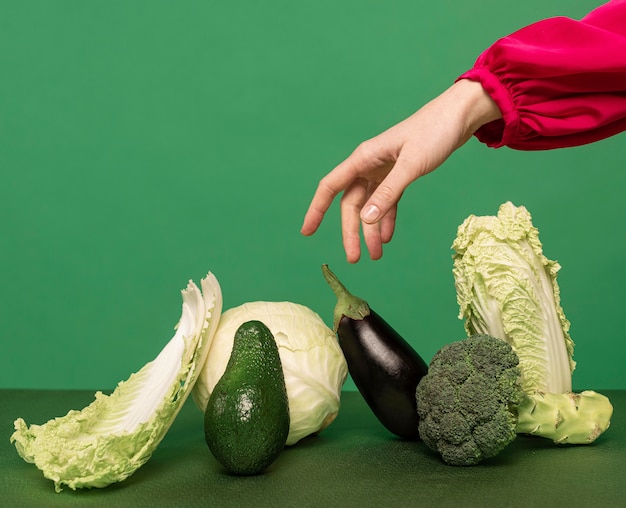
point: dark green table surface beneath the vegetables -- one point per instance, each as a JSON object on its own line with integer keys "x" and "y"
{"x": 355, "y": 462}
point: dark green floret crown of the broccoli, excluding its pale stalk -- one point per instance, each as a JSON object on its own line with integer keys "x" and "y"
{"x": 467, "y": 402}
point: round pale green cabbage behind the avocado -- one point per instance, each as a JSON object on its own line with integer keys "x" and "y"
{"x": 313, "y": 363}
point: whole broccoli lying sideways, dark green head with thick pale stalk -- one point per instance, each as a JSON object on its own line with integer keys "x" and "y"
{"x": 472, "y": 404}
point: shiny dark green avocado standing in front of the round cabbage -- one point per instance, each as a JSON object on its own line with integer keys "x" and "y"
{"x": 246, "y": 421}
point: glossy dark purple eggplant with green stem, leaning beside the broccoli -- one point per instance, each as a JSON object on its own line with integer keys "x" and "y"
{"x": 384, "y": 367}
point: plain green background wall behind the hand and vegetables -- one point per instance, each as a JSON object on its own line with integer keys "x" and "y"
{"x": 144, "y": 143}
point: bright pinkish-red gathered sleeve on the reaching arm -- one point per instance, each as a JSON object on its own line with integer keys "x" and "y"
{"x": 558, "y": 82}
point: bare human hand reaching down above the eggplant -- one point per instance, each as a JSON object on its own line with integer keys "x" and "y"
{"x": 374, "y": 177}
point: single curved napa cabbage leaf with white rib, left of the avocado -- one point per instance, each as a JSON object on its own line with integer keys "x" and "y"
{"x": 116, "y": 434}
